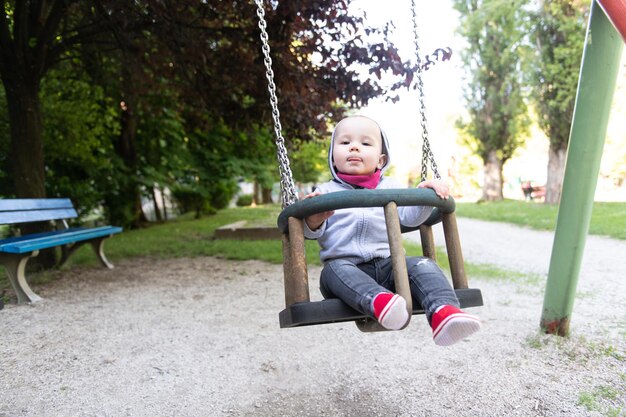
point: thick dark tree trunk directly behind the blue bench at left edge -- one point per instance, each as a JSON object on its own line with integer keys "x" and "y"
{"x": 31, "y": 42}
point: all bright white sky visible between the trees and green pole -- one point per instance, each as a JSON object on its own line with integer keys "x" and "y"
{"x": 437, "y": 25}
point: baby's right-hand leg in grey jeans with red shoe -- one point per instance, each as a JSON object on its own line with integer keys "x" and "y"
{"x": 431, "y": 289}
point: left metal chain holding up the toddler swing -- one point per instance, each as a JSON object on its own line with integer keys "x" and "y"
{"x": 287, "y": 186}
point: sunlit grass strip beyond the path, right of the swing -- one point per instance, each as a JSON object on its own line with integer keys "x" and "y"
{"x": 607, "y": 219}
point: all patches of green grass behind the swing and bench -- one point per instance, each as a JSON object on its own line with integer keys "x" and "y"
{"x": 190, "y": 237}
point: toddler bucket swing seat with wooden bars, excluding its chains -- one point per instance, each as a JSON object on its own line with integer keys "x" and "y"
{"x": 300, "y": 311}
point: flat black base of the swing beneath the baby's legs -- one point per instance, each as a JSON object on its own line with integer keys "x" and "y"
{"x": 333, "y": 310}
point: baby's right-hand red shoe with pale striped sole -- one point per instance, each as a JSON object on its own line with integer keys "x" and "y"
{"x": 451, "y": 325}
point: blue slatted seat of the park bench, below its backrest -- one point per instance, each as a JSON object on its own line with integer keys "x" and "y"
{"x": 24, "y": 244}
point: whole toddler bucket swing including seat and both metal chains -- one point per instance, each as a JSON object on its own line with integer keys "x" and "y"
{"x": 299, "y": 310}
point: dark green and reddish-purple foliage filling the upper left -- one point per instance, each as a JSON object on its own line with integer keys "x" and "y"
{"x": 133, "y": 99}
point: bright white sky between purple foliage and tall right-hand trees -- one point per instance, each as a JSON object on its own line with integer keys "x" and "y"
{"x": 437, "y": 22}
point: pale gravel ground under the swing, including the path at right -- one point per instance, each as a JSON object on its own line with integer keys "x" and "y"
{"x": 200, "y": 337}
